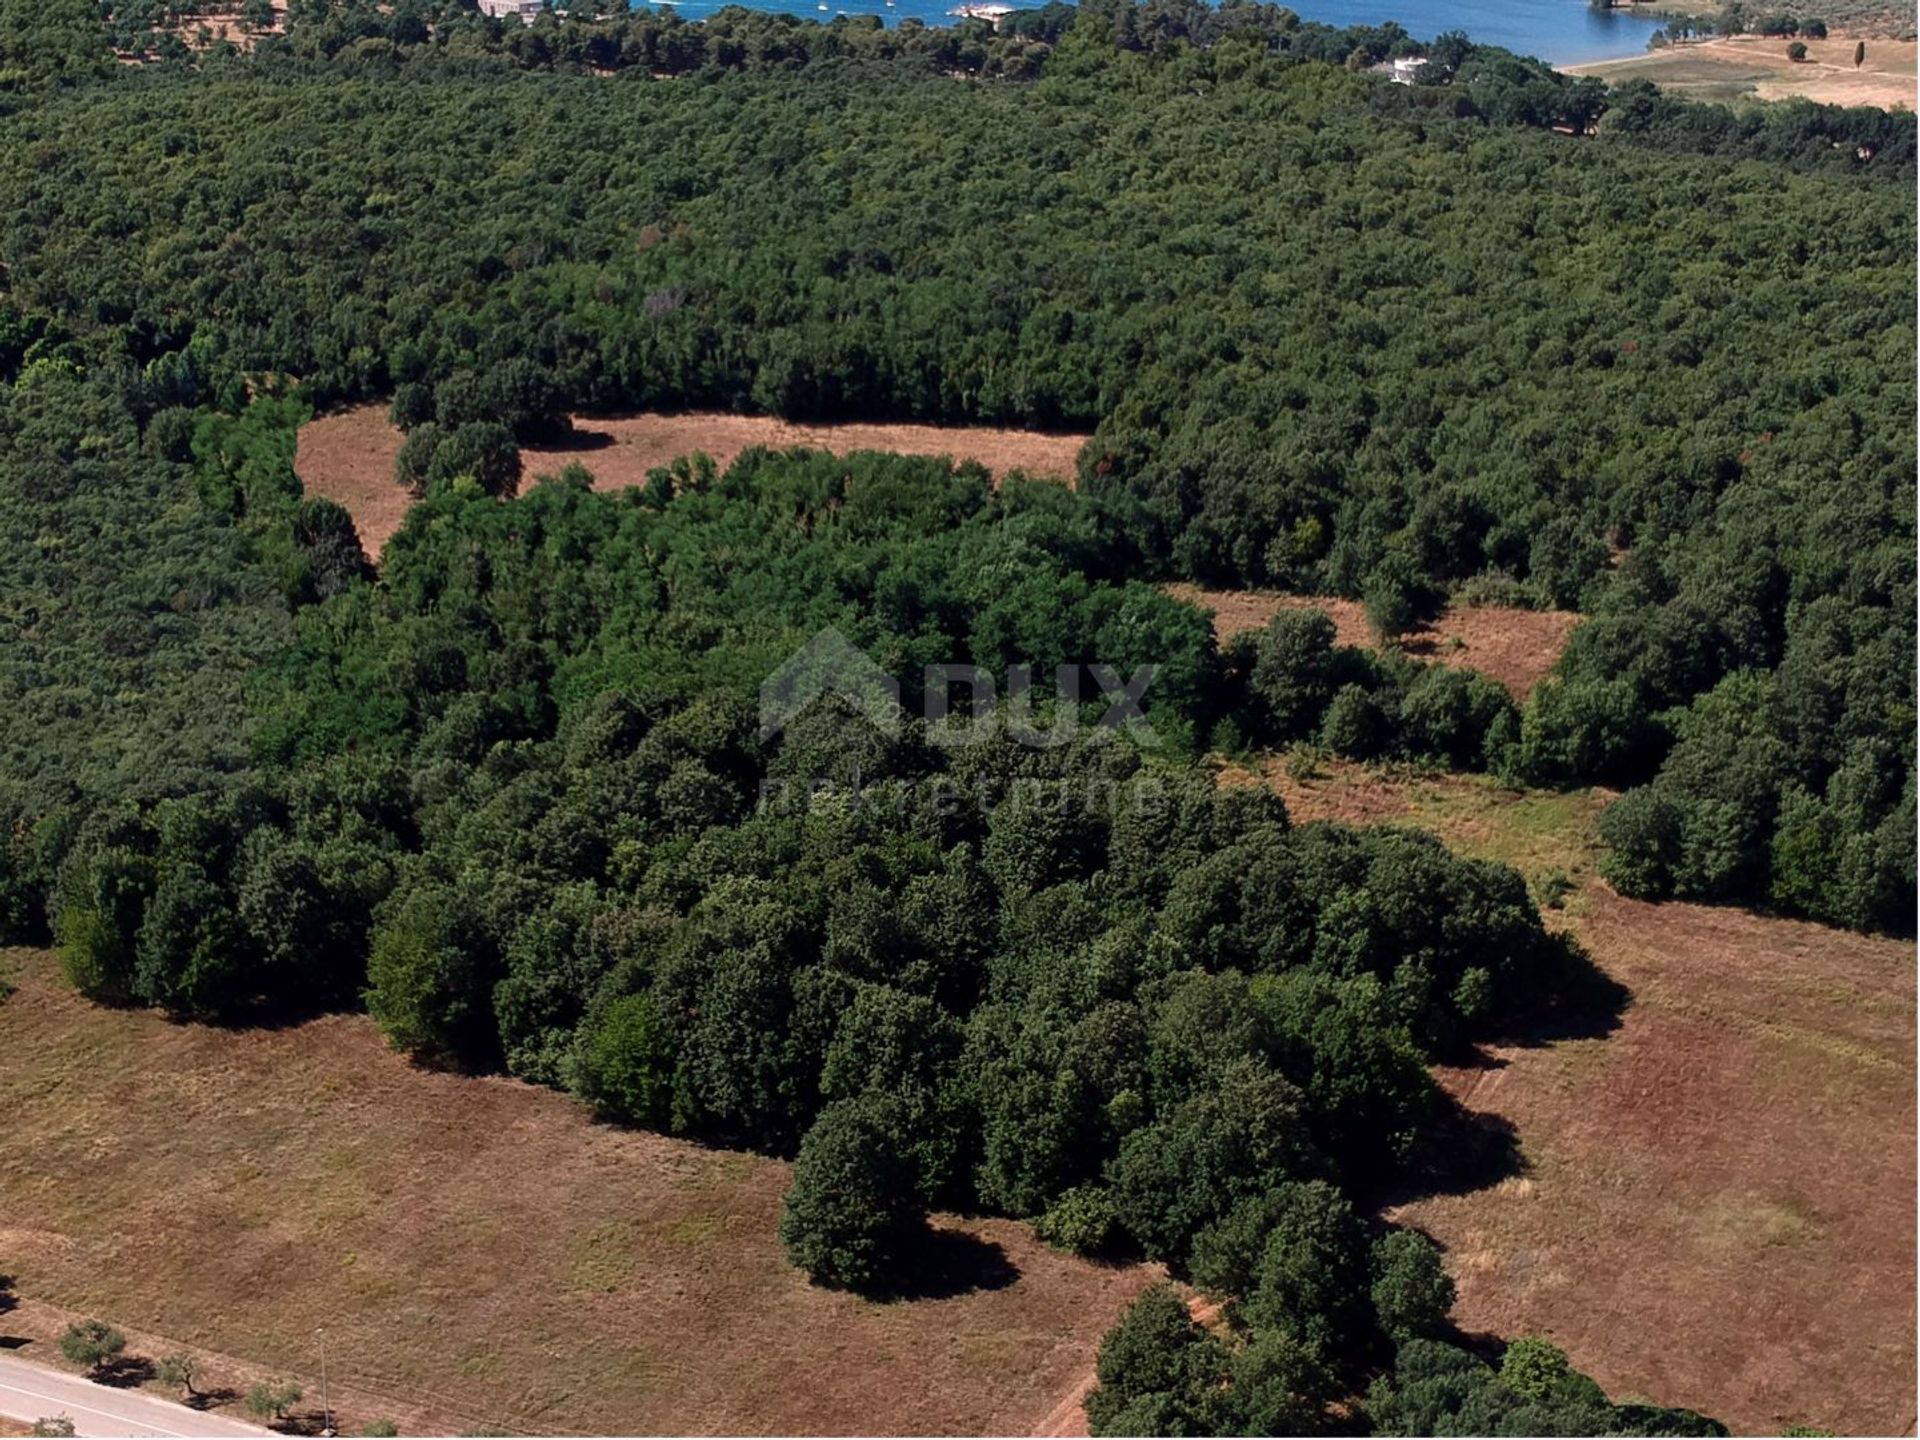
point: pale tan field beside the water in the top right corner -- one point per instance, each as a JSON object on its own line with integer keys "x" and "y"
{"x": 1758, "y": 66}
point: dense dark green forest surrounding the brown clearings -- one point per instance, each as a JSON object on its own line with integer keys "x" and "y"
{"x": 1499, "y": 333}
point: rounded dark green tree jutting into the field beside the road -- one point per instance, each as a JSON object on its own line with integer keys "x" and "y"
{"x": 853, "y": 1205}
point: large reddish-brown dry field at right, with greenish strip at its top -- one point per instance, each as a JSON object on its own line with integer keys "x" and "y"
{"x": 1717, "y": 1203}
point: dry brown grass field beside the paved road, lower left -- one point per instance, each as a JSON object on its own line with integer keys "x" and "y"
{"x": 479, "y": 1253}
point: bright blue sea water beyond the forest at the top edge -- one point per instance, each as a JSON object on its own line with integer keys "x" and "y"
{"x": 1558, "y": 32}
